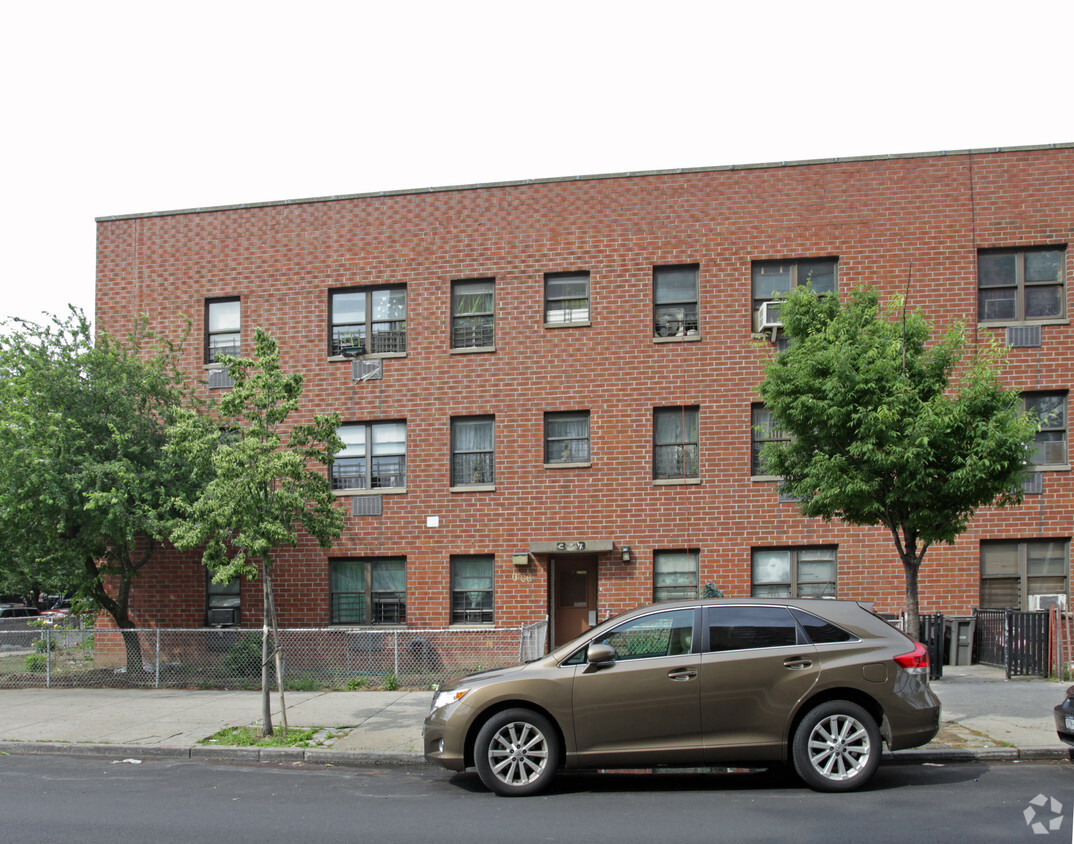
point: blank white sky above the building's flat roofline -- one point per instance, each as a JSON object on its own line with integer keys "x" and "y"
{"x": 118, "y": 108}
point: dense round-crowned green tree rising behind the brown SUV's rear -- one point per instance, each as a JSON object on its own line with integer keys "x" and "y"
{"x": 887, "y": 429}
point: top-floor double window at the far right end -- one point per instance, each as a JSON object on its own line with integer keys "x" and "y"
{"x": 1018, "y": 285}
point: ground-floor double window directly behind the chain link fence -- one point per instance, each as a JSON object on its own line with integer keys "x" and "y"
{"x": 369, "y": 591}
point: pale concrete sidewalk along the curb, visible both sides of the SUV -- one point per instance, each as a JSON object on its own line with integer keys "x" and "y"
{"x": 985, "y": 717}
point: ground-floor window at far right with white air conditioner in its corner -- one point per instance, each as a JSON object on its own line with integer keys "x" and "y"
{"x": 1014, "y": 574}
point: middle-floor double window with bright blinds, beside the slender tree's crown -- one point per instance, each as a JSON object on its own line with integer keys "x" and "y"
{"x": 373, "y": 457}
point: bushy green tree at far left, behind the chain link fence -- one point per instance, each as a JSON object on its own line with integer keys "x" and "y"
{"x": 88, "y": 492}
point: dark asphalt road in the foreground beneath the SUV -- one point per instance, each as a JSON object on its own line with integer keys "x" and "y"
{"x": 65, "y": 799}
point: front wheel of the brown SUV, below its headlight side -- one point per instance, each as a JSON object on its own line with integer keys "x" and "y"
{"x": 517, "y": 753}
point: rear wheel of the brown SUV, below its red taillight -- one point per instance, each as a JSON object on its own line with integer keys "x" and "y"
{"x": 837, "y": 747}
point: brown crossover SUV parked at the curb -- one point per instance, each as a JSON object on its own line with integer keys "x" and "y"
{"x": 730, "y": 683}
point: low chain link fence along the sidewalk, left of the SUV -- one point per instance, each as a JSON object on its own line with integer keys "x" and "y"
{"x": 33, "y": 656}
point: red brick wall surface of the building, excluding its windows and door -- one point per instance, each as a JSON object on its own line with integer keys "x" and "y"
{"x": 913, "y": 222}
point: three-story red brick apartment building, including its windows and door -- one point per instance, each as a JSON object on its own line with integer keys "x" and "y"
{"x": 549, "y": 387}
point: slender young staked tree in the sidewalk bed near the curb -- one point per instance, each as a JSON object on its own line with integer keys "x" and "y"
{"x": 262, "y": 486}
